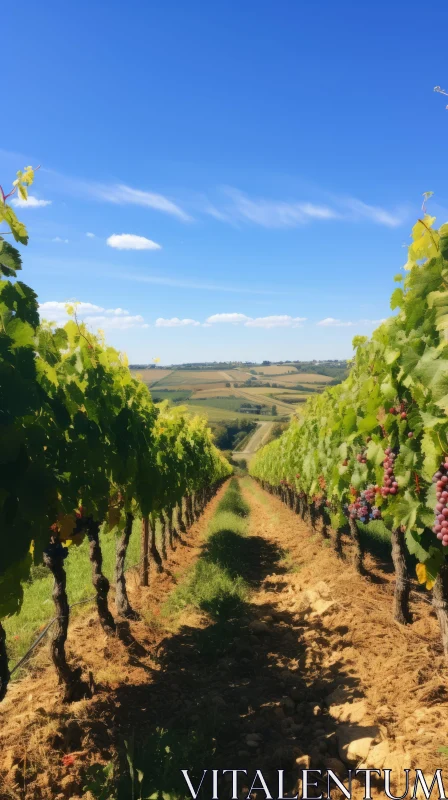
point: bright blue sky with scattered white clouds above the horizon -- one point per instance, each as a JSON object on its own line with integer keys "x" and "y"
{"x": 266, "y": 157}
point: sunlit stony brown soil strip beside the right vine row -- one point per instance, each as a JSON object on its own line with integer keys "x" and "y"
{"x": 370, "y": 676}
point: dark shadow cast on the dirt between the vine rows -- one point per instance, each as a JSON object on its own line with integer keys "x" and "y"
{"x": 240, "y": 693}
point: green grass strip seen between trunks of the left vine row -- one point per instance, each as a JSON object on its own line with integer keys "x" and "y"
{"x": 37, "y": 607}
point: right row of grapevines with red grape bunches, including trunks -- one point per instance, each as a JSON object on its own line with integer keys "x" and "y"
{"x": 373, "y": 451}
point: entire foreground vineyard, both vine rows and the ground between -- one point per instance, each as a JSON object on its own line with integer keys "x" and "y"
{"x": 235, "y": 636}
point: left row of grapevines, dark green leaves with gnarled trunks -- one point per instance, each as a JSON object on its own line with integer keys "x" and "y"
{"x": 83, "y": 449}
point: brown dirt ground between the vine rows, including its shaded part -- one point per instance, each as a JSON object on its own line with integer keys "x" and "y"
{"x": 311, "y": 670}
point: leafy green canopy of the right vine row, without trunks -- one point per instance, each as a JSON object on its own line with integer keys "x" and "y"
{"x": 401, "y": 370}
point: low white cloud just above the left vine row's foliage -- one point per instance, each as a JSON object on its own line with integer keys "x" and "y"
{"x": 92, "y": 314}
